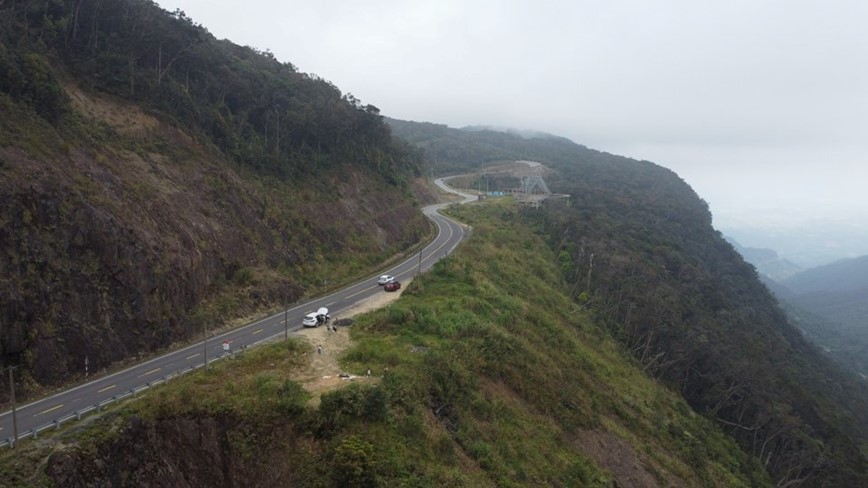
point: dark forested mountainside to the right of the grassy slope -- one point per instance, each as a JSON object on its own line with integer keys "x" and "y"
{"x": 638, "y": 247}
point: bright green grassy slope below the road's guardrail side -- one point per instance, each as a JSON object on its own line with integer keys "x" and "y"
{"x": 494, "y": 378}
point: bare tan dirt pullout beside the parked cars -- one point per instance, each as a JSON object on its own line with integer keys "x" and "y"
{"x": 323, "y": 373}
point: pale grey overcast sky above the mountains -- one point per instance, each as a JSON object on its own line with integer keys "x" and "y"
{"x": 761, "y": 106}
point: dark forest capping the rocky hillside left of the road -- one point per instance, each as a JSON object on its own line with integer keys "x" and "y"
{"x": 265, "y": 114}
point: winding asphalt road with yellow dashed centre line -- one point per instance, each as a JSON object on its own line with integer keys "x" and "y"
{"x": 50, "y": 411}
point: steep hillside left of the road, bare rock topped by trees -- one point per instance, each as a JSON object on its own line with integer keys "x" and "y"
{"x": 155, "y": 180}
